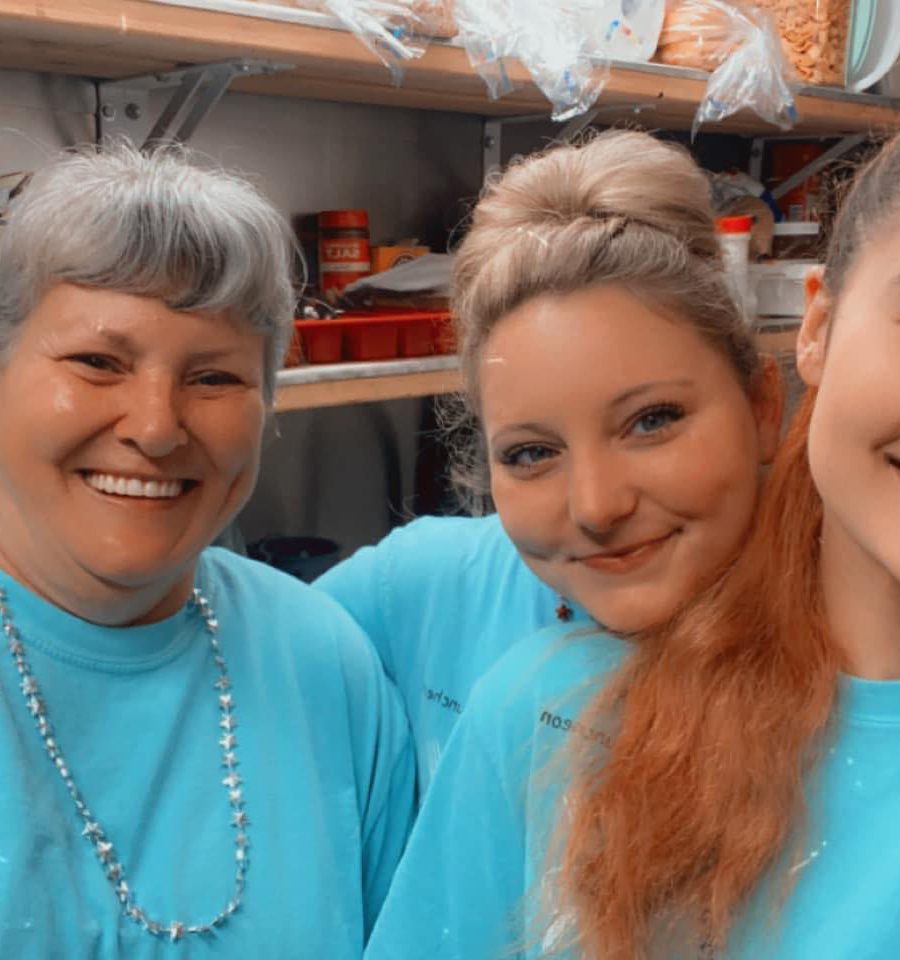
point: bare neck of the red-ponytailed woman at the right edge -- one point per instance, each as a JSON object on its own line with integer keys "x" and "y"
{"x": 862, "y": 603}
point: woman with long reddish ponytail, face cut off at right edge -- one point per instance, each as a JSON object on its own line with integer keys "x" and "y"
{"x": 736, "y": 774}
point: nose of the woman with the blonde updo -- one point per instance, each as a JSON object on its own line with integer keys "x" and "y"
{"x": 601, "y": 491}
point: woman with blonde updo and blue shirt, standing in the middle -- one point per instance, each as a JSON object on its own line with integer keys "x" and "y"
{"x": 618, "y": 501}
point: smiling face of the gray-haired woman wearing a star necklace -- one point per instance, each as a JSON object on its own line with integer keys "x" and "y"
{"x": 129, "y": 437}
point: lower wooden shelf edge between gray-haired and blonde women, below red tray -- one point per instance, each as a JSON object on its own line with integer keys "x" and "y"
{"x": 328, "y": 385}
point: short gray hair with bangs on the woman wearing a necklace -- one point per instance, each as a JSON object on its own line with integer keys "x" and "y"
{"x": 155, "y": 224}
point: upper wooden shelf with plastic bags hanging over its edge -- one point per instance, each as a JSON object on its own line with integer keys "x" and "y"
{"x": 121, "y": 38}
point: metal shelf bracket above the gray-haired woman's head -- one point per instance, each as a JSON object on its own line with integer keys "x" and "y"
{"x": 122, "y": 105}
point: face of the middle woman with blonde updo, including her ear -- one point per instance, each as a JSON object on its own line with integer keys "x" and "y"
{"x": 624, "y": 451}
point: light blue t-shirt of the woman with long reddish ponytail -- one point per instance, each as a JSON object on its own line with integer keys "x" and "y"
{"x": 480, "y": 858}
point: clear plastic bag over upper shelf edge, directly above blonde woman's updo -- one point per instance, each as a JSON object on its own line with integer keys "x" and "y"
{"x": 566, "y": 45}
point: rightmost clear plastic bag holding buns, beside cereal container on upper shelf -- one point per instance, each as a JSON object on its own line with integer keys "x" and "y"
{"x": 742, "y": 48}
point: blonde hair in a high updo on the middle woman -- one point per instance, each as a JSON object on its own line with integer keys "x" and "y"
{"x": 622, "y": 208}
